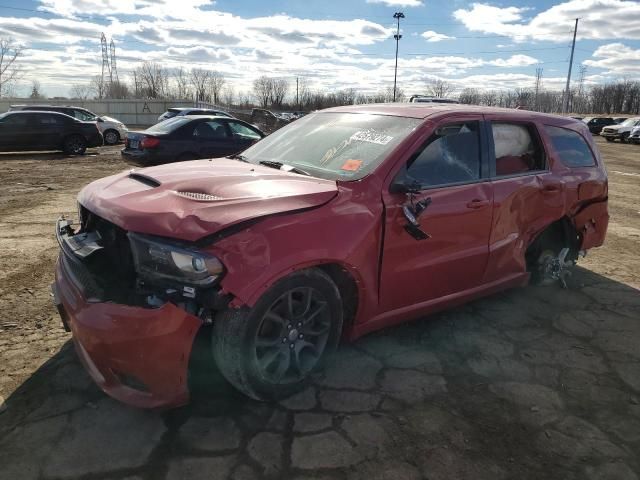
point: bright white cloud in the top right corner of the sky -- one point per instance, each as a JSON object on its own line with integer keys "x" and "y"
{"x": 599, "y": 20}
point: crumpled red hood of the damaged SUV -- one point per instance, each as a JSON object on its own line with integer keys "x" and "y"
{"x": 190, "y": 200}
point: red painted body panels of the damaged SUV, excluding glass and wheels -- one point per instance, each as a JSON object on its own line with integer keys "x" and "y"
{"x": 479, "y": 234}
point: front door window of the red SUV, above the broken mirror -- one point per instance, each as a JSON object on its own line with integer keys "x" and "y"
{"x": 450, "y": 155}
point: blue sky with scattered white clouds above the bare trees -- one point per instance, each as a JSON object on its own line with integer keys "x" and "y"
{"x": 331, "y": 44}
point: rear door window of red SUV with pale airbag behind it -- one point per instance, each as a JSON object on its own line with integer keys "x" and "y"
{"x": 517, "y": 149}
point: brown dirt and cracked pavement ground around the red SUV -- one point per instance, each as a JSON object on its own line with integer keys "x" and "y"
{"x": 534, "y": 383}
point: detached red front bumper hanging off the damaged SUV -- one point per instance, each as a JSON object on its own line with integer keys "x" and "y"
{"x": 136, "y": 355}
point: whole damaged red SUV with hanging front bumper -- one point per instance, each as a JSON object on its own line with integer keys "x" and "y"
{"x": 343, "y": 222}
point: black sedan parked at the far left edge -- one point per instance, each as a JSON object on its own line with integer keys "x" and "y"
{"x": 38, "y": 131}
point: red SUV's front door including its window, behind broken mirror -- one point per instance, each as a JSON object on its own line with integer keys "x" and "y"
{"x": 449, "y": 169}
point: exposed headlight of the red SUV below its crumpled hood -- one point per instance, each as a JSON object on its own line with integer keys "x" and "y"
{"x": 162, "y": 260}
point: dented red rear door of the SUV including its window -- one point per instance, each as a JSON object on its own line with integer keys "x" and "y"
{"x": 527, "y": 194}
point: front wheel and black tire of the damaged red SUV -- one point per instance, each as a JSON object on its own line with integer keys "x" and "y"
{"x": 267, "y": 352}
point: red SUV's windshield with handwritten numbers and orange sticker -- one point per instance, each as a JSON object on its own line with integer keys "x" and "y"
{"x": 345, "y": 146}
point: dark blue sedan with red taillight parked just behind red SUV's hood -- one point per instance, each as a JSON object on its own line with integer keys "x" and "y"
{"x": 189, "y": 137}
